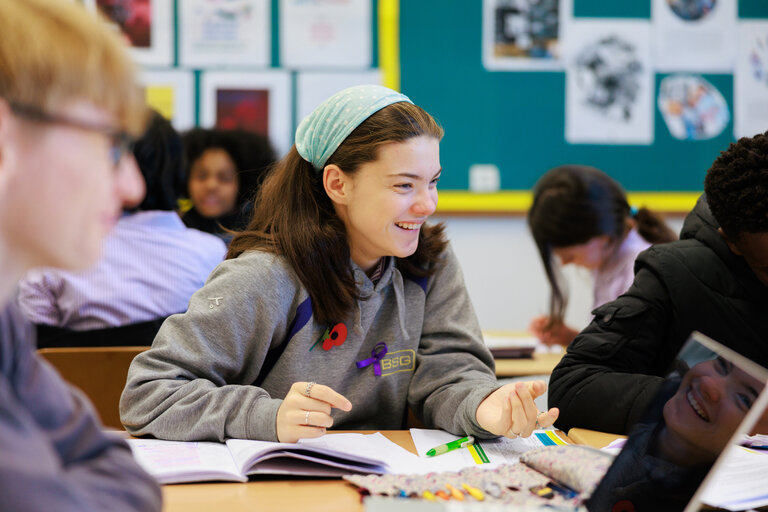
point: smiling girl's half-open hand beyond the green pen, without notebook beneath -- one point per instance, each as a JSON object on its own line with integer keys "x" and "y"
{"x": 511, "y": 412}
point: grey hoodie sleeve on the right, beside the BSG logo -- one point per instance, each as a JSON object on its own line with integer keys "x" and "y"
{"x": 454, "y": 369}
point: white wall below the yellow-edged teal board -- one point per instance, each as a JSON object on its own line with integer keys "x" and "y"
{"x": 504, "y": 274}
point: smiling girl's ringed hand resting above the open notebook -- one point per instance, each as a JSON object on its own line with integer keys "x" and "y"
{"x": 306, "y": 411}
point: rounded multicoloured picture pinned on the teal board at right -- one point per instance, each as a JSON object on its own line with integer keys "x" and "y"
{"x": 692, "y": 108}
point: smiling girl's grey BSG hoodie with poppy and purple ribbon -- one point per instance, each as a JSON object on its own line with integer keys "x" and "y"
{"x": 221, "y": 369}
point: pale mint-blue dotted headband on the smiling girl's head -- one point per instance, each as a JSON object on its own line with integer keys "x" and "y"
{"x": 323, "y": 131}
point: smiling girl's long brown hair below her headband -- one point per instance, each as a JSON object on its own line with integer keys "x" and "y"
{"x": 294, "y": 217}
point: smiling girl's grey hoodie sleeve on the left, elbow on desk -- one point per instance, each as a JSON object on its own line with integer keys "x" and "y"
{"x": 196, "y": 382}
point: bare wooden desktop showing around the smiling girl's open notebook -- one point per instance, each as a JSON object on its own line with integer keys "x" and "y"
{"x": 274, "y": 494}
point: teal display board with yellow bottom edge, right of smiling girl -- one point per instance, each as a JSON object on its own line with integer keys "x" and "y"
{"x": 515, "y": 119}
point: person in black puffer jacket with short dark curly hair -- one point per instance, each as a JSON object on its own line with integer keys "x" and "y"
{"x": 714, "y": 280}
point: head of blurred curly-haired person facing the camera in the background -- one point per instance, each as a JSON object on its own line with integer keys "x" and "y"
{"x": 225, "y": 168}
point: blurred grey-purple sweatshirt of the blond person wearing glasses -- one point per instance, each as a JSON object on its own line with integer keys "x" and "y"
{"x": 55, "y": 455}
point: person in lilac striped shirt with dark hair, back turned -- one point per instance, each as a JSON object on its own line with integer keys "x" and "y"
{"x": 150, "y": 266}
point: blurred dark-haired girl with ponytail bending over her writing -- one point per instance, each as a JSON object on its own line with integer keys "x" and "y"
{"x": 581, "y": 216}
